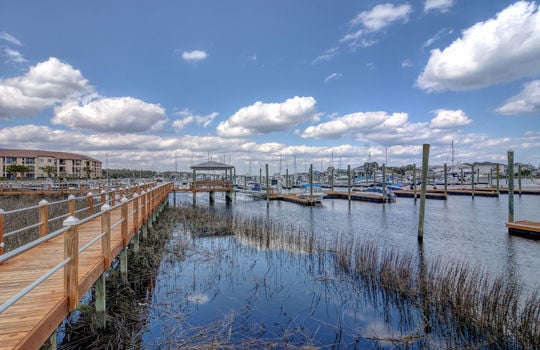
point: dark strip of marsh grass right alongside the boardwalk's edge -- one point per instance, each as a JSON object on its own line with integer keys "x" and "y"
{"x": 126, "y": 300}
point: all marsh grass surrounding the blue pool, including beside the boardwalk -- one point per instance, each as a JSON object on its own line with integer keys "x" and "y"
{"x": 440, "y": 304}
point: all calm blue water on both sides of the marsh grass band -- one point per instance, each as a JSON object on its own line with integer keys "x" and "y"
{"x": 235, "y": 291}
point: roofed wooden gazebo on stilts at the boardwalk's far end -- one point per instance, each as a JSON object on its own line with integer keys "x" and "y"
{"x": 224, "y": 183}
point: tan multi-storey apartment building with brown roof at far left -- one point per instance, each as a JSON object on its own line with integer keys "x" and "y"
{"x": 39, "y": 164}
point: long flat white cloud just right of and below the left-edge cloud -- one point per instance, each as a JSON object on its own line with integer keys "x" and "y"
{"x": 119, "y": 114}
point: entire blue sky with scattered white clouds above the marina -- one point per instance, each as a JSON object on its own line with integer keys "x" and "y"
{"x": 163, "y": 85}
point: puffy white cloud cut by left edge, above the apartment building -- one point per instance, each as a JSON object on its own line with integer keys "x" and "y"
{"x": 44, "y": 85}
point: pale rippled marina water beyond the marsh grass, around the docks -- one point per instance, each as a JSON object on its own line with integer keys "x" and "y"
{"x": 459, "y": 228}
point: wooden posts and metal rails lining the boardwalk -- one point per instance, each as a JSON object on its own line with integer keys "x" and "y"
{"x": 136, "y": 209}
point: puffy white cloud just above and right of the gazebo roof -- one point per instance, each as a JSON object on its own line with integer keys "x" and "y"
{"x": 263, "y": 118}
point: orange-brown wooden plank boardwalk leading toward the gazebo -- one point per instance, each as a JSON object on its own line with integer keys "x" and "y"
{"x": 29, "y": 322}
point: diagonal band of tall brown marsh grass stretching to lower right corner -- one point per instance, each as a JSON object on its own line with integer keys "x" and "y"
{"x": 462, "y": 306}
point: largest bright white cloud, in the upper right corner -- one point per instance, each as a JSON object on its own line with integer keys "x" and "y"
{"x": 501, "y": 49}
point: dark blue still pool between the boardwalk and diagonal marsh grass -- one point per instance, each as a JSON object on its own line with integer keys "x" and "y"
{"x": 230, "y": 289}
